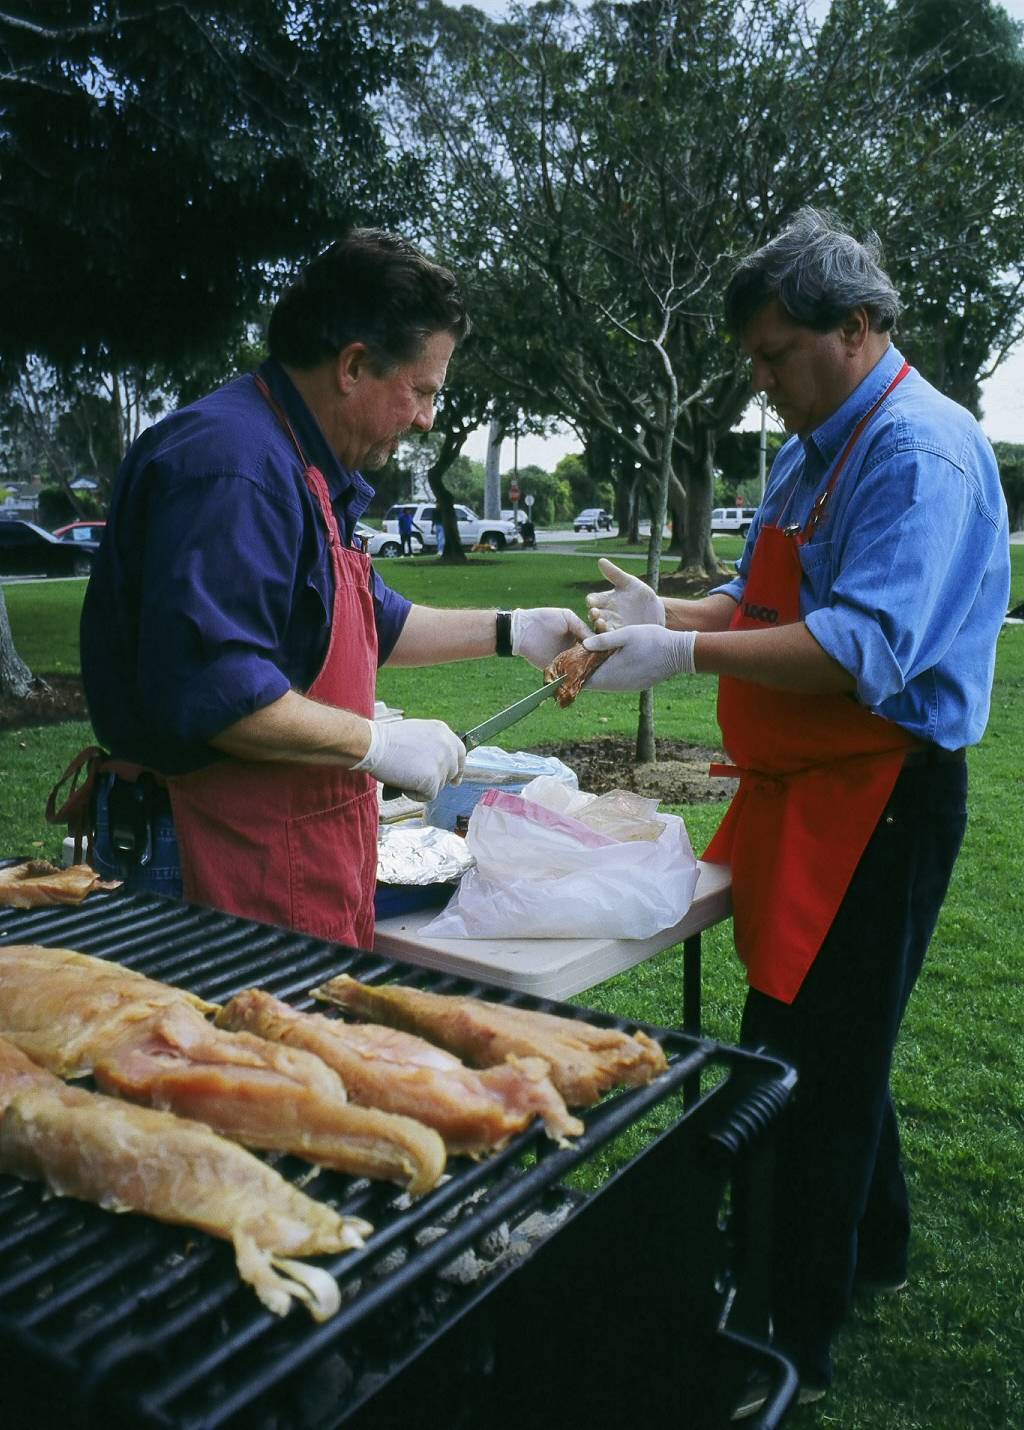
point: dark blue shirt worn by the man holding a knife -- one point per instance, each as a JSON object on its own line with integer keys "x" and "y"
{"x": 212, "y": 593}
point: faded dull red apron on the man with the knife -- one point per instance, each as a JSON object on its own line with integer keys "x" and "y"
{"x": 294, "y": 844}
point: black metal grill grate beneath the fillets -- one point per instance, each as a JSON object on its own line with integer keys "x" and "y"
{"x": 125, "y": 1322}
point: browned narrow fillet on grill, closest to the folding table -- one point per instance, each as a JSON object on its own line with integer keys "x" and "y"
{"x": 584, "y": 1062}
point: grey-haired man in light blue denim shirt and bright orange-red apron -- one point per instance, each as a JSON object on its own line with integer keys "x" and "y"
{"x": 856, "y": 651}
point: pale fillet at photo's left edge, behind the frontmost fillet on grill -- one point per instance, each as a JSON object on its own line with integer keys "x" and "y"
{"x": 67, "y": 1009}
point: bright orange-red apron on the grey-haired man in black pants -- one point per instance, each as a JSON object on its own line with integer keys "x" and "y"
{"x": 816, "y": 773}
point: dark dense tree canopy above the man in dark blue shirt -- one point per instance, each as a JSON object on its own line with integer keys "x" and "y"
{"x": 161, "y": 164}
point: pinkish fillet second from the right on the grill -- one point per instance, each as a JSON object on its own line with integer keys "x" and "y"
{"x": 400, "y": 1073}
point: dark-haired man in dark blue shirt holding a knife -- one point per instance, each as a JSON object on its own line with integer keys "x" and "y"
{"x": 232, "y": 633}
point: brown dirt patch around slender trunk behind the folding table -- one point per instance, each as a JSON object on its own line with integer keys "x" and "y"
{"x": 680, "y": 776}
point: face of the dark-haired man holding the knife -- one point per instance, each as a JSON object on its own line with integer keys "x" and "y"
{"x": 380, "y": 410}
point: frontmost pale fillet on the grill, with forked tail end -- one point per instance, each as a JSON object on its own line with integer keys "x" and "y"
{"x": 132, "y": 1159}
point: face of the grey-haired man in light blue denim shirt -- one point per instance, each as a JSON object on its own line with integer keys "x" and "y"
{"x": 806, "y": 375}
